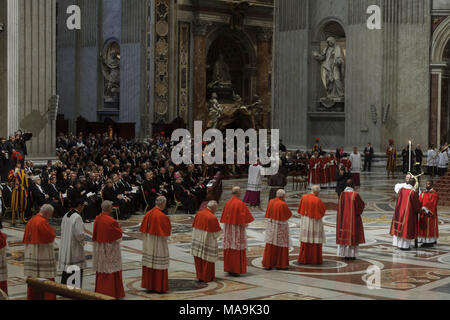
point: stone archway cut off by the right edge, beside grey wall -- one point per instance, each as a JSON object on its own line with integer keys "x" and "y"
{"x": 440, "y": 84}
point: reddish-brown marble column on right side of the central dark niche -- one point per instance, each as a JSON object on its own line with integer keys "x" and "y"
{"x": 263, "y": 69}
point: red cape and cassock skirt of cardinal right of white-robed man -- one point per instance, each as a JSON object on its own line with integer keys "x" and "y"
{"x": 107, "y": 230}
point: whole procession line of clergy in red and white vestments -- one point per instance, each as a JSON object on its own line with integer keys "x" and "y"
{"x": 415, "y": 218}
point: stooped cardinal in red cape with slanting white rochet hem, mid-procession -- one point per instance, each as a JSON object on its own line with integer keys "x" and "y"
{"x": 204, "y": 242}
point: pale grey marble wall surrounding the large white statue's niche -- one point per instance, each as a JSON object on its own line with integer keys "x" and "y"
{"x": 383, "y": 67}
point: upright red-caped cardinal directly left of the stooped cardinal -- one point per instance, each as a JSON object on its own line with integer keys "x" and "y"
{"x": 157, "y": 229}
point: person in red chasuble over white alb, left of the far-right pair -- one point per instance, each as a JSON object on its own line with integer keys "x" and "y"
{"x": 404, "y": 223}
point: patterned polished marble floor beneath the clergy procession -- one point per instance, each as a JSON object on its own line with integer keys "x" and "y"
{"x": 417, "y": 274}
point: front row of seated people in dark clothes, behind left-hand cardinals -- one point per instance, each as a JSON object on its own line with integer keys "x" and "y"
{"x": 128, "y": 198}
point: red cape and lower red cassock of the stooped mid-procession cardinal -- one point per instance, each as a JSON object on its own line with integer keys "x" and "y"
{"x": 206, "y": 221}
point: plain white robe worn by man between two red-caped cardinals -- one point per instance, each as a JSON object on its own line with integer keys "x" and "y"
{"x": 71, "y": 249}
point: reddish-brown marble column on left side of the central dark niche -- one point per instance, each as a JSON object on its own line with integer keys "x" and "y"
{"x": 199, "y": 97}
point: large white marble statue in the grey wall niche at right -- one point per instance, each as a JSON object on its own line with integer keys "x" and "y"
{"x": 333, "y": 72}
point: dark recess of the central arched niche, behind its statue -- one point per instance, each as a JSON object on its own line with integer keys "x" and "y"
{"x": 239, "y": 54}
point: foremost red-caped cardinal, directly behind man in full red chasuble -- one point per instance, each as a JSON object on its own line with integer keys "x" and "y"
{"x": 312, "y": 233}
